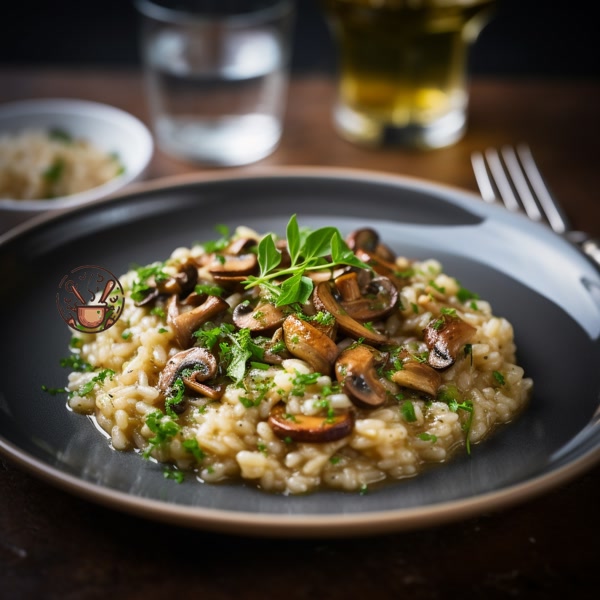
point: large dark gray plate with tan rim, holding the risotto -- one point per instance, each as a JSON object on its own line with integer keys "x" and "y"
{"x": 543, "y": 285}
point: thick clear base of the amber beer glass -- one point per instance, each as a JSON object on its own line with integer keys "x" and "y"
{"x": 366, "y": 130}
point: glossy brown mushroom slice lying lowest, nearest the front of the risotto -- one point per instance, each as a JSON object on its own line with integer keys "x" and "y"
{"x": 310, "y": 429}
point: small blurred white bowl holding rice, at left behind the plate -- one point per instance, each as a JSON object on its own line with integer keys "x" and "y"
{"x": 108, "y": 128}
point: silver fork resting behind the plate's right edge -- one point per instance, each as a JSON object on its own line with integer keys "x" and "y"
{"x": 511, "y": 176}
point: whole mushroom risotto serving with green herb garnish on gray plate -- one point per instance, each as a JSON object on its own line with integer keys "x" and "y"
{"x": 298, "y": 364}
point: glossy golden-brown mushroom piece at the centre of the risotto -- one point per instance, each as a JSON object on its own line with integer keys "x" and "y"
{"x": 310, "y": 344}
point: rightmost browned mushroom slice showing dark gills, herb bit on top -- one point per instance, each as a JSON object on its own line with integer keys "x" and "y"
{"x": 445, "y": 336}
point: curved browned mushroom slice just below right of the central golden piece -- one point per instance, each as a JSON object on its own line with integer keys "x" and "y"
{"x": 356, "y": 371}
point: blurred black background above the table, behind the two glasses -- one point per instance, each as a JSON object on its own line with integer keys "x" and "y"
{"x": 527, "y": 38}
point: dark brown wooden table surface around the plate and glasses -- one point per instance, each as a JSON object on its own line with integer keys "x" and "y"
{"x": 54, "y": 545}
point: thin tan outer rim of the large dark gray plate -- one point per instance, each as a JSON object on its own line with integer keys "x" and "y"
{"x": 301, "y": 525}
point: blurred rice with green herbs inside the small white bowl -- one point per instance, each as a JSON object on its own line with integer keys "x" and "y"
{"x": 37, "y": 164}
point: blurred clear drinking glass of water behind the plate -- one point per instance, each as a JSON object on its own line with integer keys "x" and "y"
{"x": 216, "y": 75}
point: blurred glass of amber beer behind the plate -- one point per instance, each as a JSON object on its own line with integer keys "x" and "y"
{"x": 403, "y": 68}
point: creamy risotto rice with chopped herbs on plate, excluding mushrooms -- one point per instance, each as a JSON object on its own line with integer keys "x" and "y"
{"x": 235, "y": 436}
